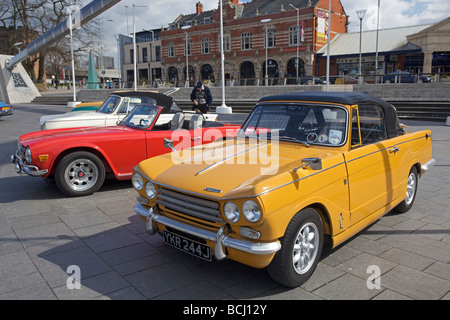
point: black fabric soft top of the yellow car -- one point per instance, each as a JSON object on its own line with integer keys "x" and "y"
{"x": 344, "y": 98}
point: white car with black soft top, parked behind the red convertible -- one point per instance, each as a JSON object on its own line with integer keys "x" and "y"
{"x": 114, "y": 109}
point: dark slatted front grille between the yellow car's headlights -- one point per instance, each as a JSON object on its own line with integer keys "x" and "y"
{"x": 189, "y": 205}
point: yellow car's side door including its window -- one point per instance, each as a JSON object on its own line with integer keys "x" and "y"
{"x": 373, "y": 163}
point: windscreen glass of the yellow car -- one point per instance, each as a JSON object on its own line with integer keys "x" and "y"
{"x": 308, "y": 124}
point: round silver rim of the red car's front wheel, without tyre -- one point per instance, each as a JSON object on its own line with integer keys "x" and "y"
{"x": 81, "y": 174}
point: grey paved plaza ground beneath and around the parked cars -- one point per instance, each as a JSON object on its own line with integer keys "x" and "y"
{"x": 45, "y": 235}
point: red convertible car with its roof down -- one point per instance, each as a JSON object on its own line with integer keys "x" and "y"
{"x": 78, "y": 159}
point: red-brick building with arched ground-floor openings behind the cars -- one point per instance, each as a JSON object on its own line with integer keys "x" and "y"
{"x": 245, "y": 27}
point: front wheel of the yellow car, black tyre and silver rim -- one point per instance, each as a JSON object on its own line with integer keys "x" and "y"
{"x": 301, "y": 248}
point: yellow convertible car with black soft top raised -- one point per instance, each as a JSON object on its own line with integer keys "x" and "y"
{"x": 305, "y": 168}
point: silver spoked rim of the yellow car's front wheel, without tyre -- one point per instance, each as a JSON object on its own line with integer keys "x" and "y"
{"x": 305, "y": 248}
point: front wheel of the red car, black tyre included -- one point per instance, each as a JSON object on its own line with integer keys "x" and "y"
{"x": 79, "y": 173}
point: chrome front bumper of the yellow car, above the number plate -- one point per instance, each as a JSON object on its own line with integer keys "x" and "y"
{"x": 221, "y": 239}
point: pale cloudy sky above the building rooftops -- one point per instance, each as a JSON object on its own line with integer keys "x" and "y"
{"x": 157, "y": 13}
